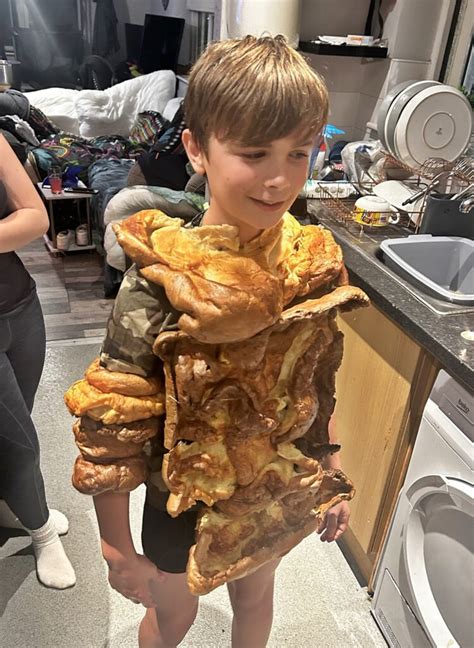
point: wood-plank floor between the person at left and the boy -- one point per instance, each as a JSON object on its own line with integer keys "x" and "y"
{"x": 70, "y": 288}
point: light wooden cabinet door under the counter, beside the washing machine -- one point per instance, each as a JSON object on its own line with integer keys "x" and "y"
{"x": 378, "y": 393}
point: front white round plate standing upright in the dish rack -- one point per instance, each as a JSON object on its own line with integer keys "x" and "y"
{"x": 435, "y": 123}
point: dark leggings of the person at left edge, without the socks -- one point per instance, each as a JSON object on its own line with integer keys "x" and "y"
{"x": 22, "y": 350}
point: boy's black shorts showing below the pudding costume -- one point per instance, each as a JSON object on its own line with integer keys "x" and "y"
{"x": 166, "y": 541}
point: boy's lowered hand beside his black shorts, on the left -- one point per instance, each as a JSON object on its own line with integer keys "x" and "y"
{"x": 133, "y": 578}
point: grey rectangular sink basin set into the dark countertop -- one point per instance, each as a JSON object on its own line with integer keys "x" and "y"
{"x": 440, "y": 265}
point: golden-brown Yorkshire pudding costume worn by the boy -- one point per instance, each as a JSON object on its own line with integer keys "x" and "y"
{"x": 238, "y": 347}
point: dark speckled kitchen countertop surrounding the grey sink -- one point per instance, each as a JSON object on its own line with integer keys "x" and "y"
{"x": 433, "y": 324}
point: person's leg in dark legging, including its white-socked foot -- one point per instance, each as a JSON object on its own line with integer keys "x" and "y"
{"x": 21, "y": 481}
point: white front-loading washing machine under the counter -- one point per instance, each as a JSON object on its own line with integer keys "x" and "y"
{"x": 423, "y": 587}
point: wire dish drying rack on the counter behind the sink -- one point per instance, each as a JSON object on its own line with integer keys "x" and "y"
{"x": 434, "y": 173}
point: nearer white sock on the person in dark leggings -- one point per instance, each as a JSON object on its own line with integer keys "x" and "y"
{"x": 52, "y": 564}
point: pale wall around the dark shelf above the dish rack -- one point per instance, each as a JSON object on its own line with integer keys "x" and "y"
{"x": 416, "y": 32}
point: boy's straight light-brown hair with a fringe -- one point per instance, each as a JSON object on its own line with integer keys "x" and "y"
{"x": 253, "y": 91}
